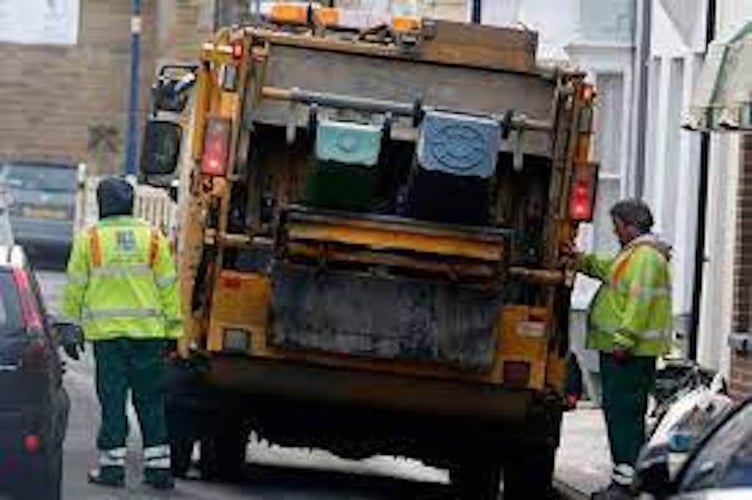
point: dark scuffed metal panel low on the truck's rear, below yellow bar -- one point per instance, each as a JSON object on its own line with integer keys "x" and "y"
{"x": 384, "y": 317}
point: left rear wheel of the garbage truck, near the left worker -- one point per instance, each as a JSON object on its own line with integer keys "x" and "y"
{"x": 223, "y": 452}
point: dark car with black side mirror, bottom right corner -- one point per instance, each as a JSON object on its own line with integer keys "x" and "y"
{"x": 718, "y": 468}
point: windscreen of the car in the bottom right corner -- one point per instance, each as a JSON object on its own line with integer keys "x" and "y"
{"x": 725, "y": 458}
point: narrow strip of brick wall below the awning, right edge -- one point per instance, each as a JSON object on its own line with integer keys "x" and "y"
{"x": 741, "y": 365}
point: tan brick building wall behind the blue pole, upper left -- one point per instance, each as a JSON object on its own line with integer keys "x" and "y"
{"x": 70, "y": 103}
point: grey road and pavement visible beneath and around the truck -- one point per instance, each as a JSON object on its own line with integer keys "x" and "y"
{"x": 583, "y": 462}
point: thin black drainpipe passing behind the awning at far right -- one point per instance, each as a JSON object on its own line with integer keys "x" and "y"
{"x": 702, "y": 205}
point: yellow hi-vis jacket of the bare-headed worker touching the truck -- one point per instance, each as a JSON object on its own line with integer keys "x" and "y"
{"x": 632, "y": 309}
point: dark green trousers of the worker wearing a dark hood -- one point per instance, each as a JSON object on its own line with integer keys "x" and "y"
{"x": 137, "y": 366}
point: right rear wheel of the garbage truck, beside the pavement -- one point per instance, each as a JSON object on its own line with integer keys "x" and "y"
{"x": 530, "y": 475}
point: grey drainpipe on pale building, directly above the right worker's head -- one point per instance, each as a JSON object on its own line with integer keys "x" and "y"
{"x": 642, "y": 81}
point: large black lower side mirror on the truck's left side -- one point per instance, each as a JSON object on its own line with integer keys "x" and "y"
{"x": 161, "y": 147}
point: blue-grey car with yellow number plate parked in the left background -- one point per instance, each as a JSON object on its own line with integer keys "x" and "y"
{"x": 42, "y": 206}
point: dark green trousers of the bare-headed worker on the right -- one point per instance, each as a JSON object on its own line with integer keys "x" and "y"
{"x": 626, "y": 386}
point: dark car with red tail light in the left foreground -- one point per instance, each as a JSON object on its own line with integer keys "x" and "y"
{"x": 33, "y": 402}
